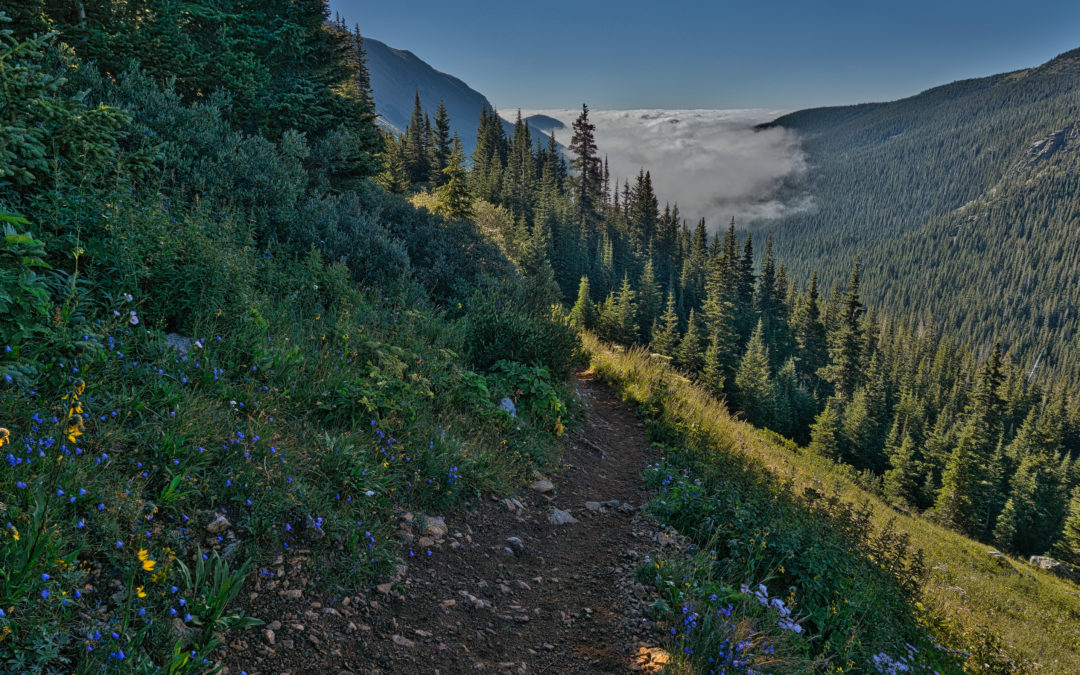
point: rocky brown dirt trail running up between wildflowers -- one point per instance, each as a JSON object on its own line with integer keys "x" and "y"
{"x": 560, "y": 599}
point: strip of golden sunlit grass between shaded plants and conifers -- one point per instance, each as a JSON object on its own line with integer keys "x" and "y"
{"x": 1008, "y": 617}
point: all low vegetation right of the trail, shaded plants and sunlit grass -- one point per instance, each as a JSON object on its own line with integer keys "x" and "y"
{"x": 761, "y": 509}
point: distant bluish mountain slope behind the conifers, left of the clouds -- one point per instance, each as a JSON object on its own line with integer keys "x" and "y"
{"x": 398, "y": 75}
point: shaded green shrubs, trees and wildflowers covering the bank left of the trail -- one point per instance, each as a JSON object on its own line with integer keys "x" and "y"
{"x": 211, "y": 315}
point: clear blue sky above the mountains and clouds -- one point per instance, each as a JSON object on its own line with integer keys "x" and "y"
{"x": 791, "y": 55}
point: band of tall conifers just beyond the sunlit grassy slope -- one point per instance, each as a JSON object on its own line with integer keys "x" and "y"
{"x": 968, "y": 437}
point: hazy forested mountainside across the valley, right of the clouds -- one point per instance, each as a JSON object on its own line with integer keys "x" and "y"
{"x": 962, "y": 202}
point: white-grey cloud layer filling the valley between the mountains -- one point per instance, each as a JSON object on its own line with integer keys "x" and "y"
{"x": 711, "y": 163}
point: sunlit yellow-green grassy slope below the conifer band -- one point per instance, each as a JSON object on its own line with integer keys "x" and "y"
{"x": 1032, "y": 612}
